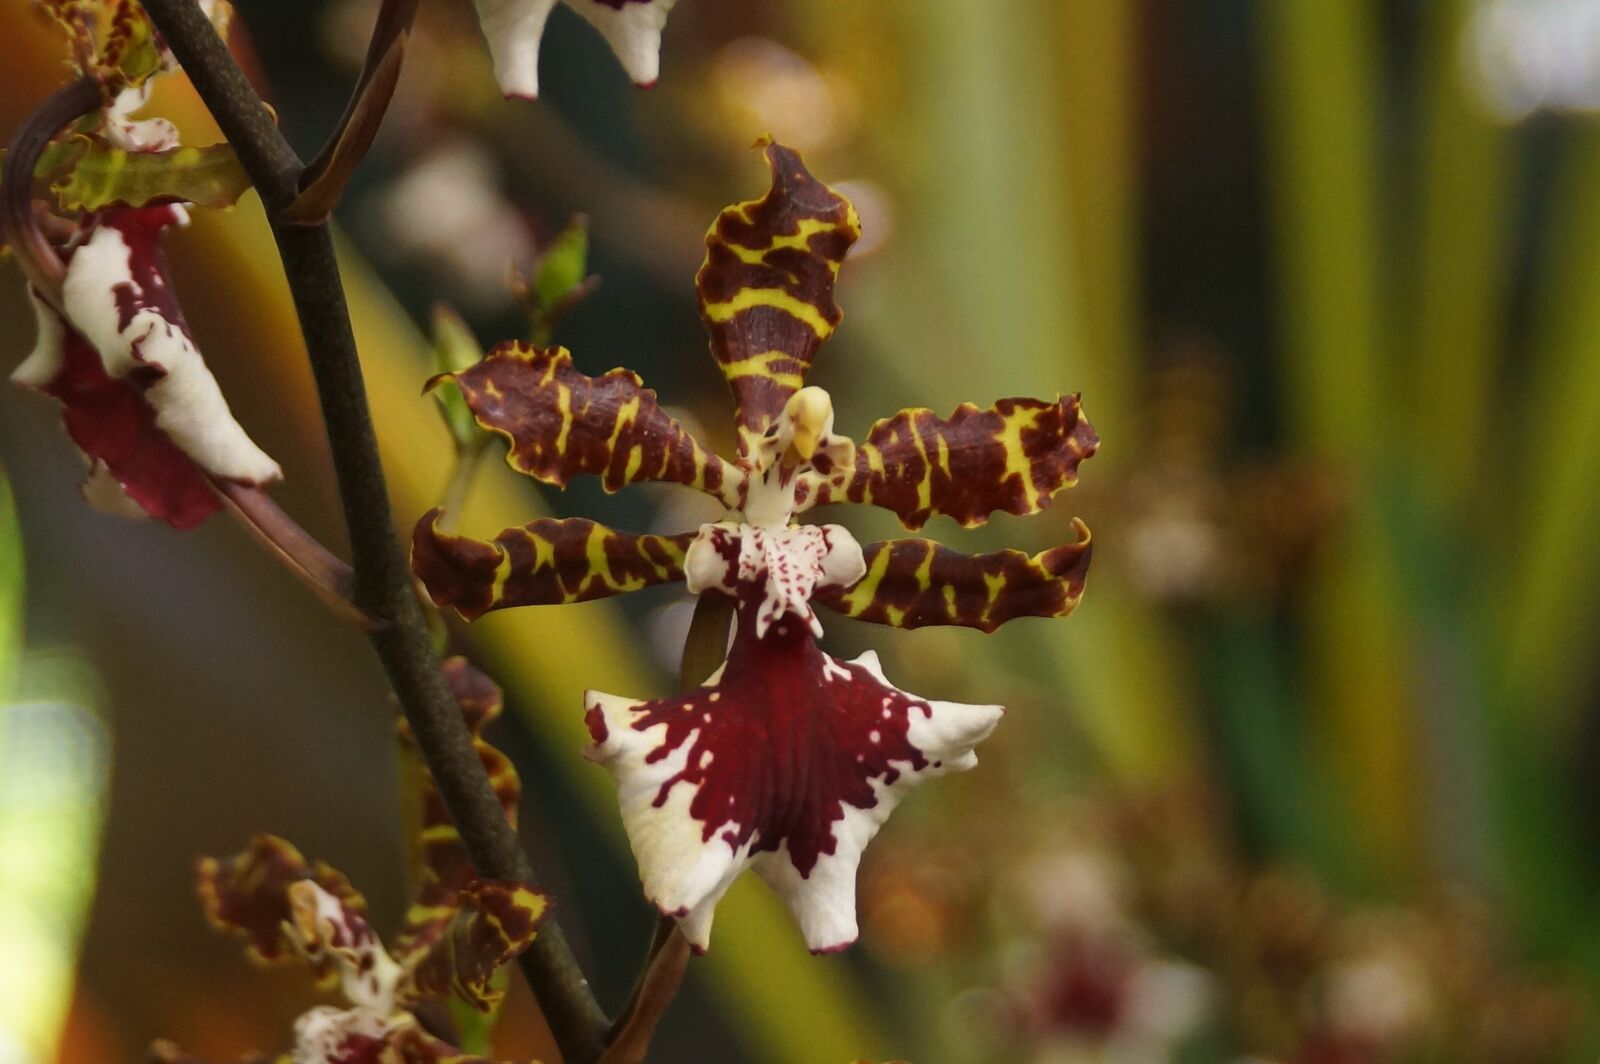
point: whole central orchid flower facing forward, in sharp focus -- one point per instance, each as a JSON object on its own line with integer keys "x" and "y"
{"x": 788, "y": 759}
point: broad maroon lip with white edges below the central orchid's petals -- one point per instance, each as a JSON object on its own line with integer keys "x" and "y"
{"x": 788, "y": 759}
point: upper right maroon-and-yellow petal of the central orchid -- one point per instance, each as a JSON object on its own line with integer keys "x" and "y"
{"x": 1012, "y": 457}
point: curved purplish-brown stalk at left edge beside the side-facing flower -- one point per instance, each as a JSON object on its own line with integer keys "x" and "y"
{"x": 34, "y": 252}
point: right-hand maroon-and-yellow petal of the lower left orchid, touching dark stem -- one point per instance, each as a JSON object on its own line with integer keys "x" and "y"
{"x": 494, "y": 922}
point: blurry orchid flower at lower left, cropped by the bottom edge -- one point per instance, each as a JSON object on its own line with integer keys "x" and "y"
{"x": 458, "y": 934}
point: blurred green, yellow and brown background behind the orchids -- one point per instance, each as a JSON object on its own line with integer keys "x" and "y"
{"x": 1311, "y": 774}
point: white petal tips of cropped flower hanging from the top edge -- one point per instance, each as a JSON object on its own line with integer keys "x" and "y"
{"x": 514, "y": 28}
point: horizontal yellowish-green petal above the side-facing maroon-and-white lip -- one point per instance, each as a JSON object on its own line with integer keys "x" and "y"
{"x": 105, "y": 177}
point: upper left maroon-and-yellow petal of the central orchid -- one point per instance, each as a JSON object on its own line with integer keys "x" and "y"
{"x": 562, "y": 423}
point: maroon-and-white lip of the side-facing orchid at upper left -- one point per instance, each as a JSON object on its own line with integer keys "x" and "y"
{"x": 138, "y": 396}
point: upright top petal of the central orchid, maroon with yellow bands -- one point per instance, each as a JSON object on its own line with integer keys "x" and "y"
{"x": 767, "y": 287}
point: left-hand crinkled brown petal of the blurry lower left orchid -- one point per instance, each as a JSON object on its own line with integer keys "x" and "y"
{"x": 249, "y": 895}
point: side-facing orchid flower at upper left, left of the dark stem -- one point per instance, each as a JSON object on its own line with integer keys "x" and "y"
{"x": 113, "y": 345}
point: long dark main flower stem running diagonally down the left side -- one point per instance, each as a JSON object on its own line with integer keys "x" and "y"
{"x": 383, "y": 580}
